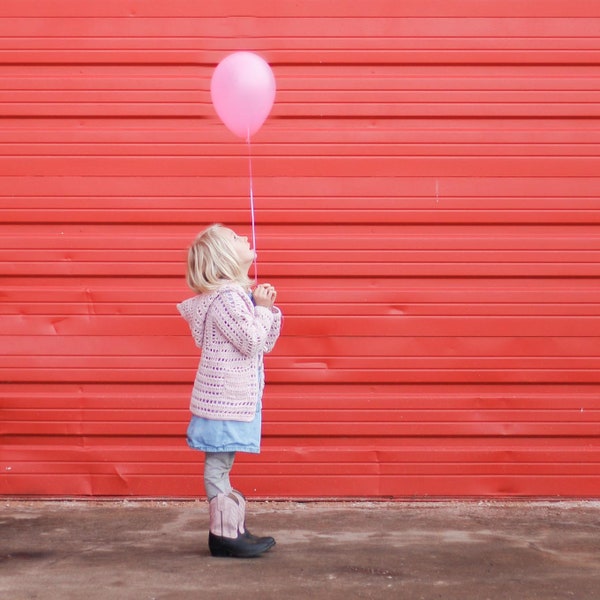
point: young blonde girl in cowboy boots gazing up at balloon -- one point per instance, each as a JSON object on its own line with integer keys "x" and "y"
{"x": 233, "y": 327}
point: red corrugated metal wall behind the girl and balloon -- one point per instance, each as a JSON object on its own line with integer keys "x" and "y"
{"x": 427, "y": 197}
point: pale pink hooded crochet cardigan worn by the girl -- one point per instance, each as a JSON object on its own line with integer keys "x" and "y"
{"x": 233, "y": 335}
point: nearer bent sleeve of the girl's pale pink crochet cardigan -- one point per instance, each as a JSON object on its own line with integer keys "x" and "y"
{"x": 246, "y": 329}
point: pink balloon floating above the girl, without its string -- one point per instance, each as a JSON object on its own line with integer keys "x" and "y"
{"x": 242, "y": 91}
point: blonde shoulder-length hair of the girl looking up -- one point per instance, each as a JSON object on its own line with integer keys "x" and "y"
{"x": 213, "y": 262}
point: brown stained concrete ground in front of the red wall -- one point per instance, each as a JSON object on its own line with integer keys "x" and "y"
{"x": 147, "y": 550}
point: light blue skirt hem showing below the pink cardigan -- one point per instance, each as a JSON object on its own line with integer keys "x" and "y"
{"x": 208, "y": 435}
